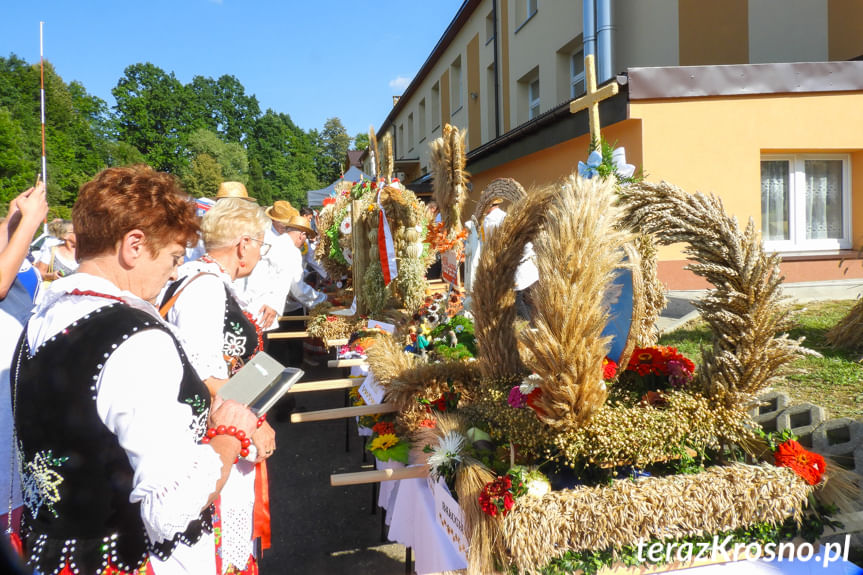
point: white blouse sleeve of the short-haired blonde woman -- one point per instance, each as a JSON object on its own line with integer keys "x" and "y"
{"x": 199, "y": 314}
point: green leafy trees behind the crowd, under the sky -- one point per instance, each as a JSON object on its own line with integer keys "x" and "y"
{"x": 204, "y": 132}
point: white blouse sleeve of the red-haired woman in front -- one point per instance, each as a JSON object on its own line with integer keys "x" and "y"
{"x": 137, "y": 400}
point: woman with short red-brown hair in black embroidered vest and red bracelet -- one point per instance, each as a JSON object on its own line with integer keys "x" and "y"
{"x": 118, "y": 467}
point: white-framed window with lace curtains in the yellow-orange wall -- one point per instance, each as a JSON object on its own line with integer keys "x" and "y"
{"x": 805, "y": 202}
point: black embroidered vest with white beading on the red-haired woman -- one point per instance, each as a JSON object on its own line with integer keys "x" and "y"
{"x": 76, "y": 477}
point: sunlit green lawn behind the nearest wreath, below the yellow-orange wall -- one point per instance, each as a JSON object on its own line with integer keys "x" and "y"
{"x": 833, "y": 381}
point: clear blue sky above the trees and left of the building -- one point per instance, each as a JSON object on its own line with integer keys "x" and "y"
{"x": 310, "y": 59}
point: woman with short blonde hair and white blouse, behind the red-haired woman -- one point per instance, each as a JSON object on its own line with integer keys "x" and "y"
{"x": 220, "y": 338}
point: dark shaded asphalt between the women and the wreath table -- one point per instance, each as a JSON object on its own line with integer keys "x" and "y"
{"x": 319, "y": 529}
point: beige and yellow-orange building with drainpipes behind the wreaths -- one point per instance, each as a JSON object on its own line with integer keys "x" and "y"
{"x": 506, "y": 70}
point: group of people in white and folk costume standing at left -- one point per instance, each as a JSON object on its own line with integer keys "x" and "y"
{"x": 122, "y": 457}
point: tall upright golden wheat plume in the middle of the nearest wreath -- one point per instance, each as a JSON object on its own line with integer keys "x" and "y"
{"x": 578, "y": 252}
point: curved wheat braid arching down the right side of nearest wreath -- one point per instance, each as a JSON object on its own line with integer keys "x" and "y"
{"x": 746, "y": 308}
